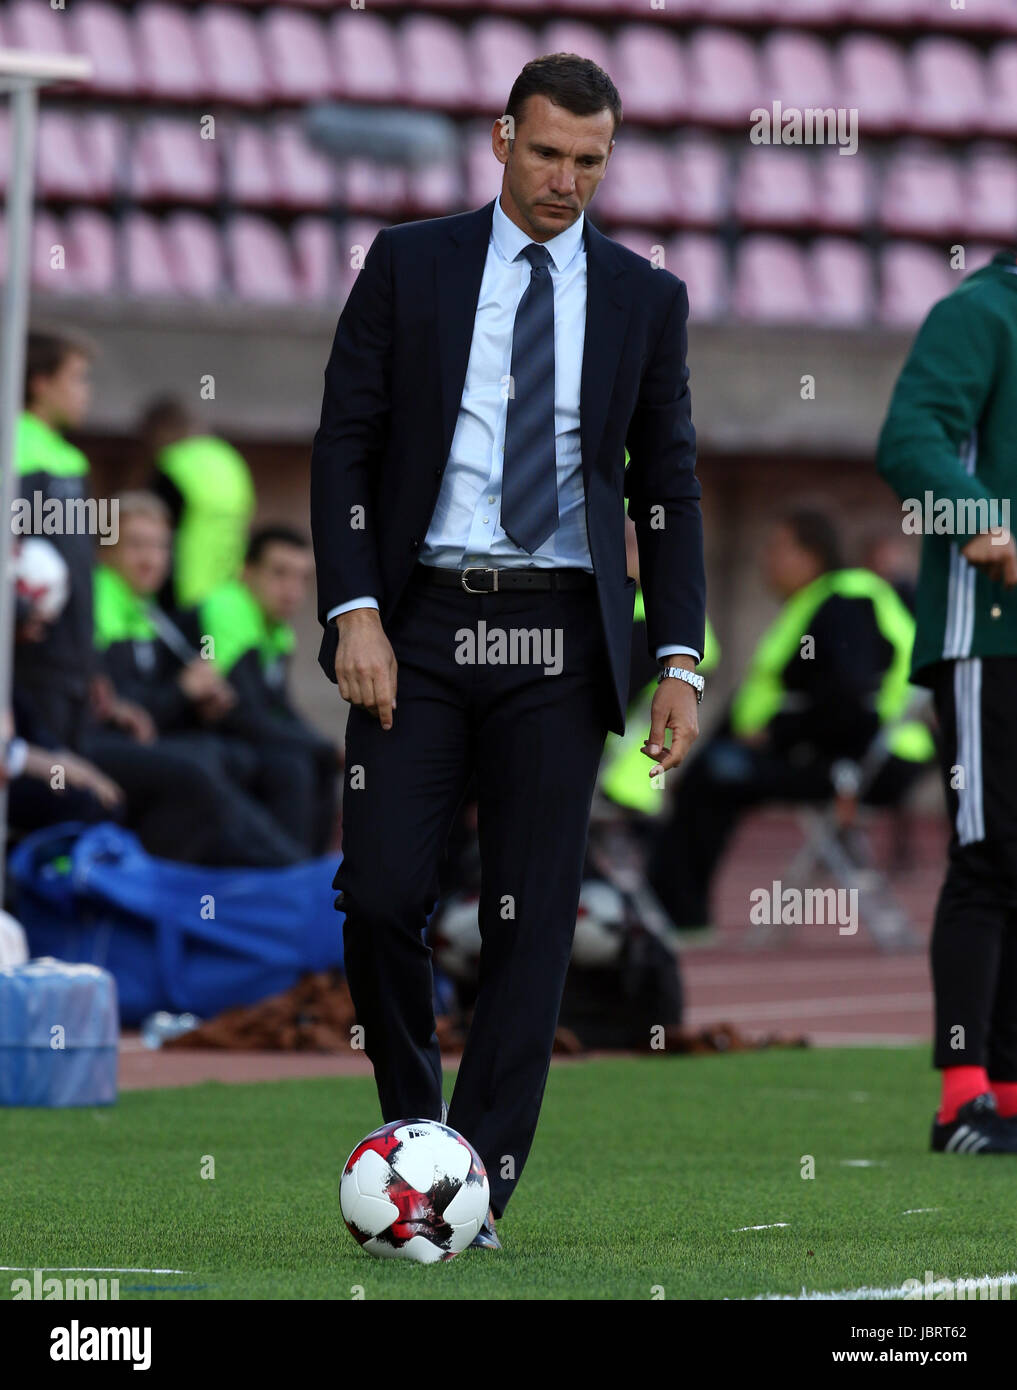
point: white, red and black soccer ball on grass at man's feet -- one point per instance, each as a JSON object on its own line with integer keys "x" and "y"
{"x": 415, "y": 1191}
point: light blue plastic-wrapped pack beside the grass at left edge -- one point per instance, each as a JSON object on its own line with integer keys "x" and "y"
{"x": 59, "y": 1035}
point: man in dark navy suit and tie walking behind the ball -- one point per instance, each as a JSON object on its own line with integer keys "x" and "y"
{"x": 468, "y": 509}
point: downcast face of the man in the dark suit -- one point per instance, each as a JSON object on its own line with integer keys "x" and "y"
{"x": 554, "y": 167}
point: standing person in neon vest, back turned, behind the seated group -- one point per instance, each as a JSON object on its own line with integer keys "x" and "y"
{"x": 209, "y": 490}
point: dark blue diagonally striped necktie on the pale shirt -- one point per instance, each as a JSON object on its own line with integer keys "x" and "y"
{"x": 530, "y": 489}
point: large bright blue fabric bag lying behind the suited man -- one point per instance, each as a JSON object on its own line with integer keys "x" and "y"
{"x": 177, "y": 938}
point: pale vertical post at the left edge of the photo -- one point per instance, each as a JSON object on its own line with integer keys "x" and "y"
{"x": 13, "y": 327}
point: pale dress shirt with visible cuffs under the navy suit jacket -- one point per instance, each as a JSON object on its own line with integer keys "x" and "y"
{"x": 465, "y": 528}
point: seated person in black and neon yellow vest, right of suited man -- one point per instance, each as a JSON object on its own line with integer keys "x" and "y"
{"x": 826, "y": 676}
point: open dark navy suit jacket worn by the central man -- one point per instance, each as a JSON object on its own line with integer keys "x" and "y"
{"x": 392, "y": 393}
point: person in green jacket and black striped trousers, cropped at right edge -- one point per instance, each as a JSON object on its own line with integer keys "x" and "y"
{"x": 950, "y": 451}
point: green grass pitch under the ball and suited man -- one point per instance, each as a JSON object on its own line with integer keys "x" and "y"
{"x": 641, "y": 1175}
